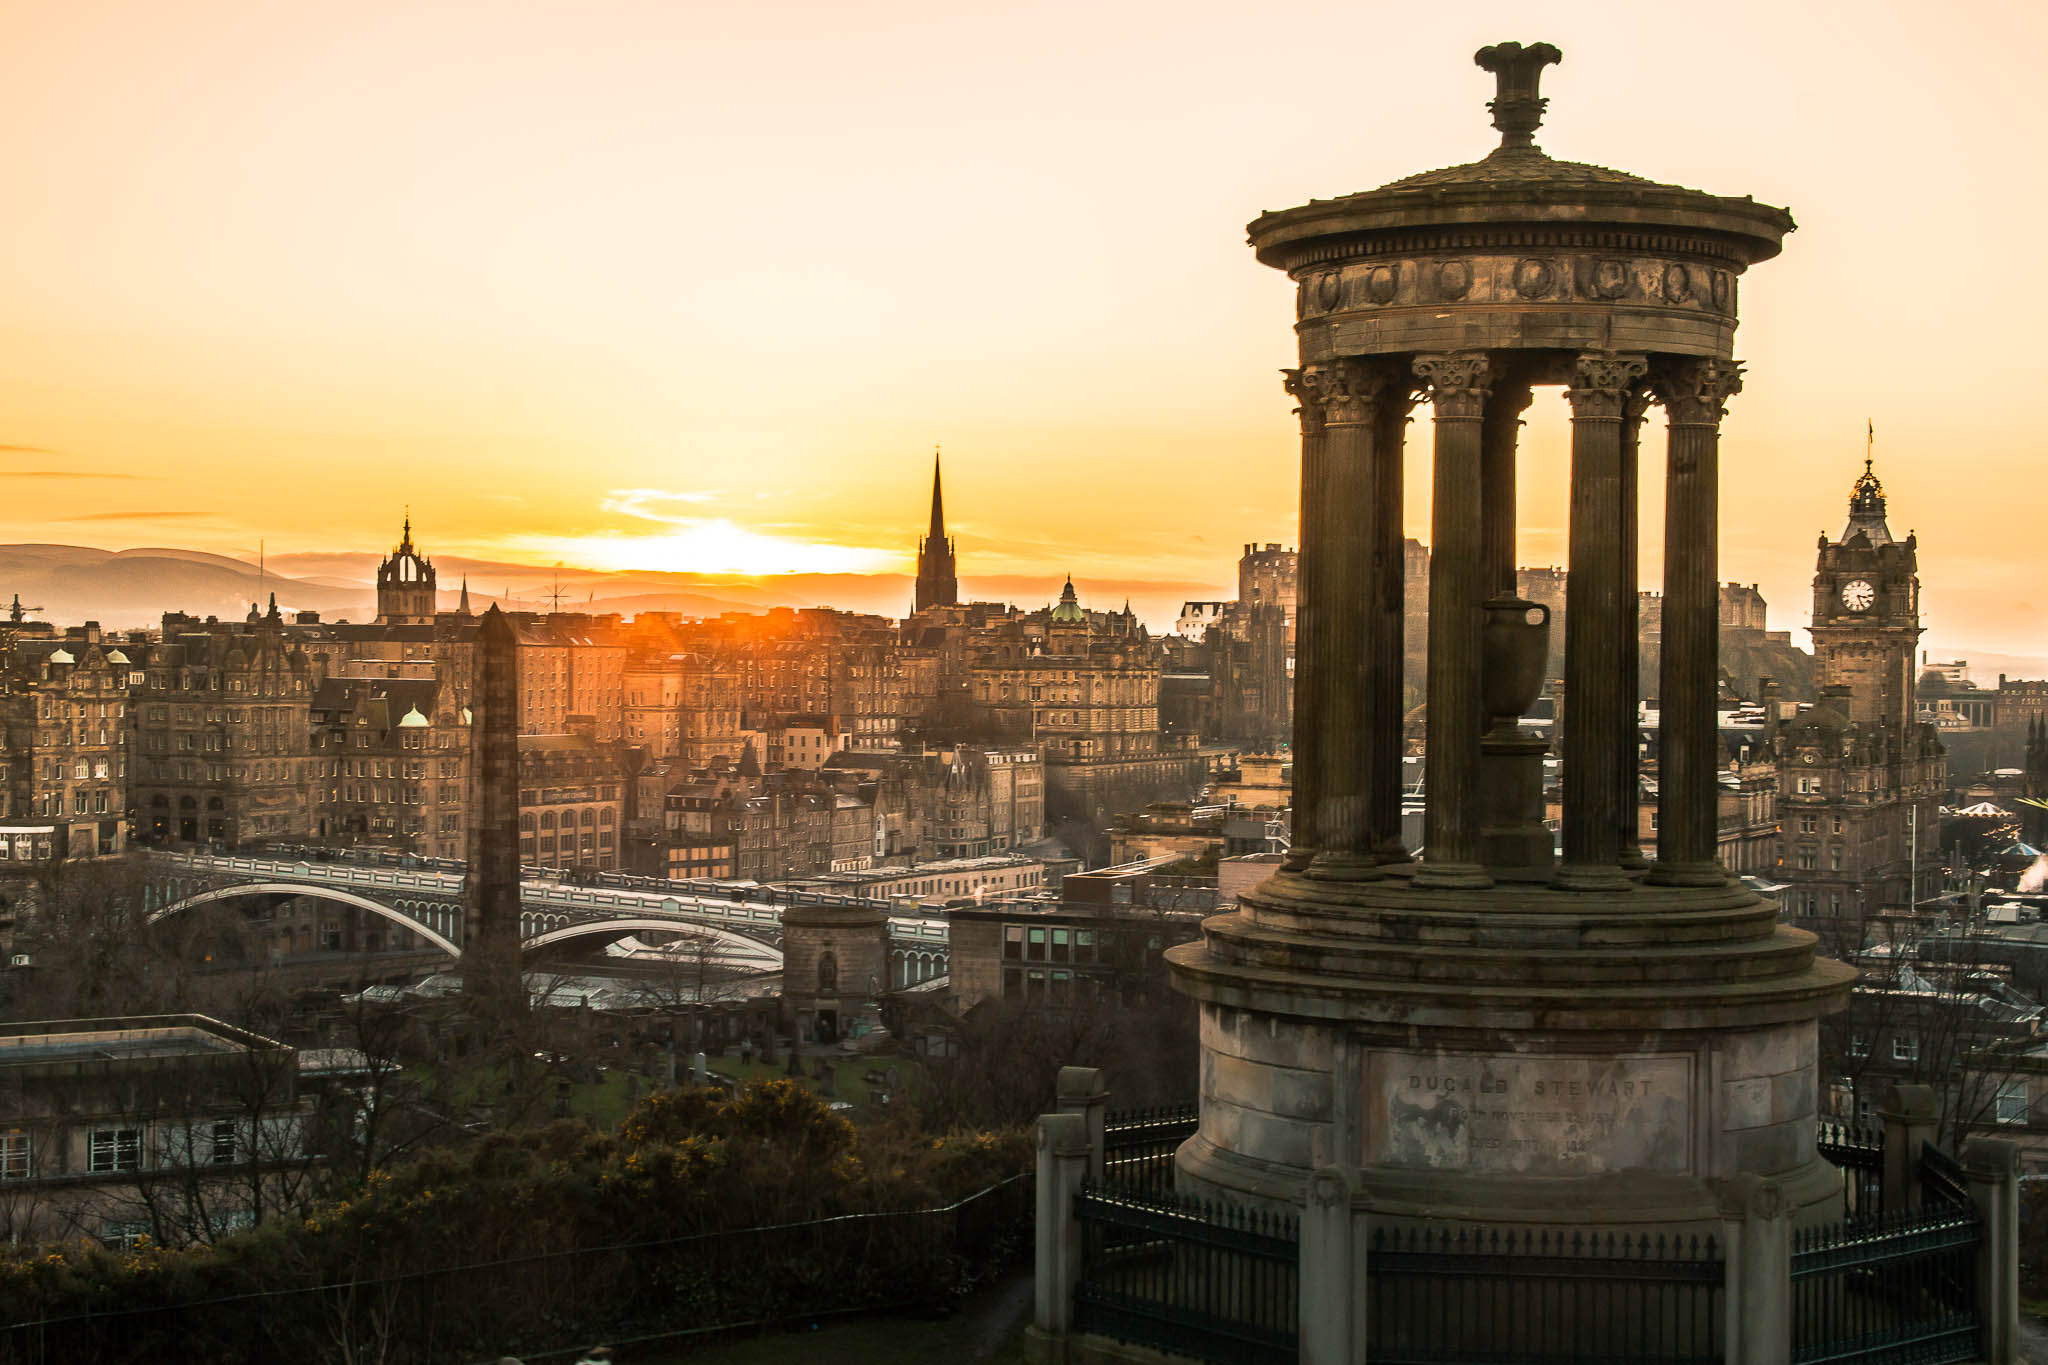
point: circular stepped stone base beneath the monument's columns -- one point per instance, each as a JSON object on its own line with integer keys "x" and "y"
{"x": 1519, "y": 1055}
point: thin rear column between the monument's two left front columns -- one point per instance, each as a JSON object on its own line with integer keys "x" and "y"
{"x": 1385, "y": 648}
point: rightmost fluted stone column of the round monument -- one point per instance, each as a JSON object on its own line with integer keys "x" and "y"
{"x": 1689, "y": 795}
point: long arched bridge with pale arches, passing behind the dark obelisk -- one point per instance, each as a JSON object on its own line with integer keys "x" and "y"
{"x": 427, "y": 899}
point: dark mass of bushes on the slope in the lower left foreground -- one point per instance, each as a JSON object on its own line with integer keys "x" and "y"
{"x": 697, "y": 1210}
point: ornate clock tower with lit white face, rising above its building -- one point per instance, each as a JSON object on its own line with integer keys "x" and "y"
{"x": 1867, "y": 615}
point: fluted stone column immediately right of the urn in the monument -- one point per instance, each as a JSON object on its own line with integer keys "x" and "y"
{"x": 1594, "y": 623}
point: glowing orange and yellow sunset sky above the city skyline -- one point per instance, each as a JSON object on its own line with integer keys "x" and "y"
{"x": 691, "y": 285}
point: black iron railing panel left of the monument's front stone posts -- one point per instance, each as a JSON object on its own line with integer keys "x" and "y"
{"x": 1203, "y": 1280}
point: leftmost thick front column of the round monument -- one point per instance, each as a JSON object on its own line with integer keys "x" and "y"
{"x": 1338, "y": 498}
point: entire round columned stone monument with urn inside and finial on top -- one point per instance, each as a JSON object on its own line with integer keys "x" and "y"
{"x": 1478, "y": 1028}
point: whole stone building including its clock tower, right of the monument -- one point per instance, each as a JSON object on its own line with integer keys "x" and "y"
{"x": 1861, "y": 775}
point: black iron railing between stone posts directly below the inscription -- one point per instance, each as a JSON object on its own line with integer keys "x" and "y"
{"x": 1539, "y": 1296}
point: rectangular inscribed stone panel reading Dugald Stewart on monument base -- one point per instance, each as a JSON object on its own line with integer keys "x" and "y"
{"x": 1529, "y": 1114}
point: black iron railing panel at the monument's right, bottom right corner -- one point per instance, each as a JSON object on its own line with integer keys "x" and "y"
{"x": 1887, "y": 1290}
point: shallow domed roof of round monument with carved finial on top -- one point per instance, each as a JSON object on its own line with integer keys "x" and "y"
{"x": 1521, "y": 183}
